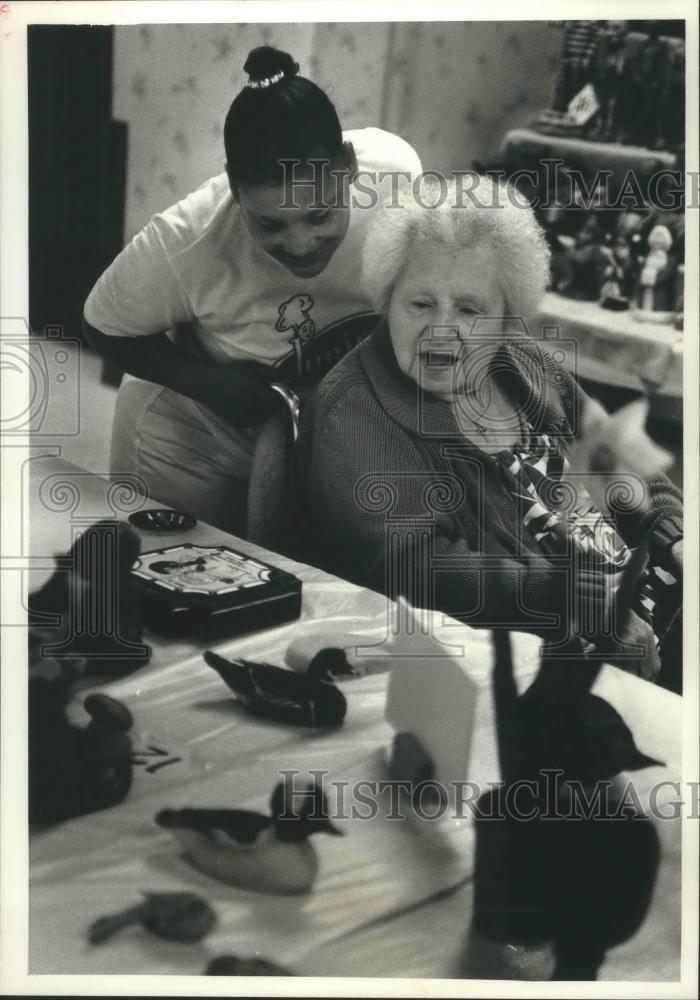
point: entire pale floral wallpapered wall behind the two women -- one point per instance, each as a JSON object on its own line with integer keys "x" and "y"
{"x": 452, "y": 89}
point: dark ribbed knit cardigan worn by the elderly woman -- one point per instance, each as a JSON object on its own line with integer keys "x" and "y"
{"x": 401, "y": 502}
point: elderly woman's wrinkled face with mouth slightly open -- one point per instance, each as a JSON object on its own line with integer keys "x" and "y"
{"x": 434, "y": 317}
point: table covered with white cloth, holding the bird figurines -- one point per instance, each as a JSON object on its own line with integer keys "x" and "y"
{"x": 389, "y": 901}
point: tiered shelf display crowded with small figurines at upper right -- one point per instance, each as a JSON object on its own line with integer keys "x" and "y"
{"x": 603, "y": 169}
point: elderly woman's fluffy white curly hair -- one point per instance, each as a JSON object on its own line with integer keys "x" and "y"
{"x": 489, "y": 214}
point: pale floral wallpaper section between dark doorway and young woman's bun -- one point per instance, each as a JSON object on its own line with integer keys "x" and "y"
{"x": 173, "y": 85}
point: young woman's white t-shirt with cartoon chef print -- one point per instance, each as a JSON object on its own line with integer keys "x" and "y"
{"x": 196, "y": 263}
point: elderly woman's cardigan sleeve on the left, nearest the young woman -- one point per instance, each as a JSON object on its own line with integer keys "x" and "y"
{"x": 370, "y": 504}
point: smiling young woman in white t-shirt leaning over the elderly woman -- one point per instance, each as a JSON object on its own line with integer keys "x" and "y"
{"x": 253, "y": 279}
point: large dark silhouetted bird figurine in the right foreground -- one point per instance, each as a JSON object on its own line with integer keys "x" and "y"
{"x": 568, "y": 861}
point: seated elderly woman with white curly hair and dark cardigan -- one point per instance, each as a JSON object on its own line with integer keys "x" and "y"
{"x": 433, "y": 454}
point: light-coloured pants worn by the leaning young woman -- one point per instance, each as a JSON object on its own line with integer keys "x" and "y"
{"x": 188, "y": 458}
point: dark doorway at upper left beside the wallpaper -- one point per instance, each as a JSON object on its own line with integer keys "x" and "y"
{"x": 77, "y": 169}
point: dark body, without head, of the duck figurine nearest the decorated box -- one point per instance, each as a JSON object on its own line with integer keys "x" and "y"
{"x": 282, "y": 695}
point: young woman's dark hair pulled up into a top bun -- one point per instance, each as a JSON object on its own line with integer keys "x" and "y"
{"x": 291, "y": 118}
